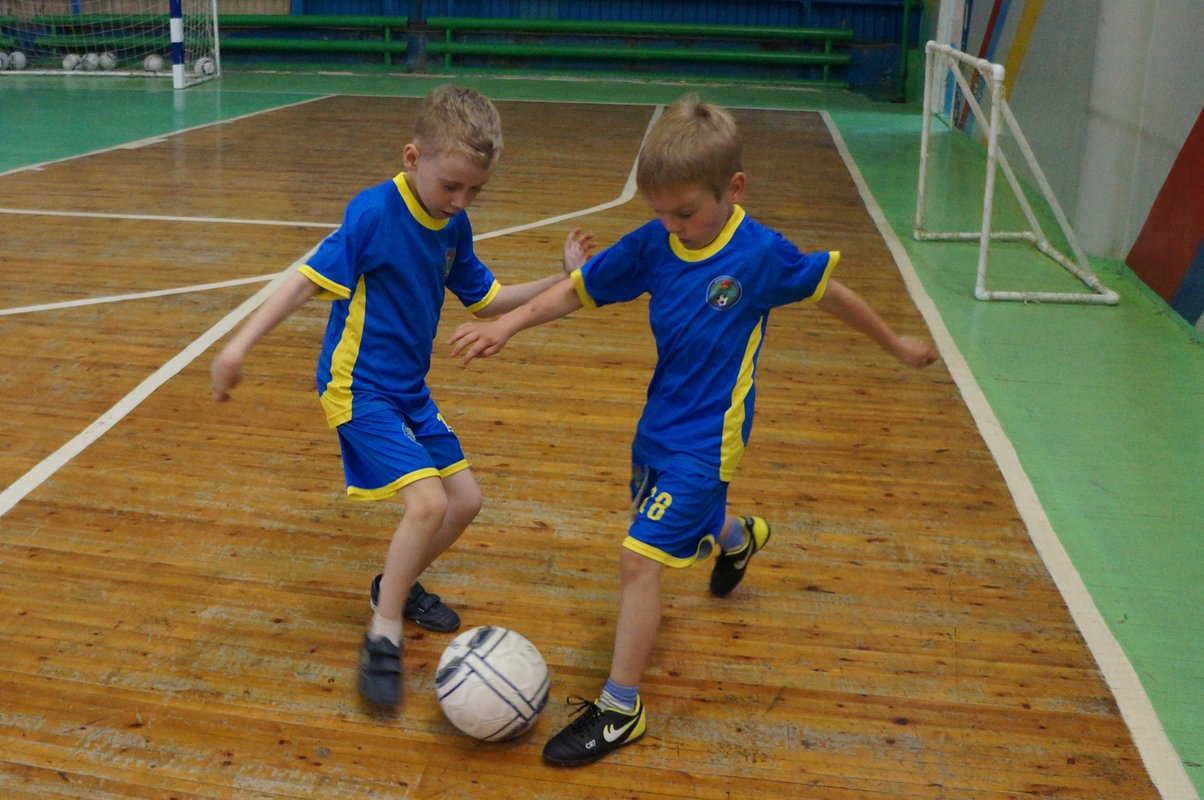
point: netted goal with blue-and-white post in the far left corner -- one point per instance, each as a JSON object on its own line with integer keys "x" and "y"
{"x": 111, "y": 38}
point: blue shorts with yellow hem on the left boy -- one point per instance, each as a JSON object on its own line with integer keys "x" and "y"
{"x": 386, "y": 450}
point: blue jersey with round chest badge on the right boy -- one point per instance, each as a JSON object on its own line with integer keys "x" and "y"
{"x": 709, "y": 311}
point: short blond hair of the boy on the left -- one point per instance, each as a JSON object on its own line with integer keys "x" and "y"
{"x": 461, "y": 120}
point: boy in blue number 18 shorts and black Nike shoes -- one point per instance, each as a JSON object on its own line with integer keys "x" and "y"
{"x": 712, "y": 275}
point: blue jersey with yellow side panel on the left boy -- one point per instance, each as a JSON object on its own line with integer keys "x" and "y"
{"x": 387, "y": 269}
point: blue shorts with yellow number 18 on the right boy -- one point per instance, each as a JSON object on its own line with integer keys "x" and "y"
{"x": 677, "y": 515}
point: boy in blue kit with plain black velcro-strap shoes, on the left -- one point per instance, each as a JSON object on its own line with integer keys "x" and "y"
{"x": 403, "y": 245}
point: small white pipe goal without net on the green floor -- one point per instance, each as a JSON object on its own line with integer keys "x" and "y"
{"x": 967, "y": 96}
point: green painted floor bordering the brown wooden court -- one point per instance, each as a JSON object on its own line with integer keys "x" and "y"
{"x": 1103, "y": 407}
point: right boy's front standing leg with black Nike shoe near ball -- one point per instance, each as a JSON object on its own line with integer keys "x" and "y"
{"x": 600, "y": 727}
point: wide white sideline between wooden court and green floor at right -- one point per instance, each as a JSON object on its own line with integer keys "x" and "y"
{"x": 1162, "y": 763}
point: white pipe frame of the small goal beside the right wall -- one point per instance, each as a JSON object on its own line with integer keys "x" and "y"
{"x": 978, "y": 83}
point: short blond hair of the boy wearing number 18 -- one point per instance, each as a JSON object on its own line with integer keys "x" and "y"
{"x": 693, "y": 144}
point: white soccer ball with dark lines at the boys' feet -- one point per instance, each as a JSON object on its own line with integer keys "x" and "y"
{"x": 492, "y": 684}
